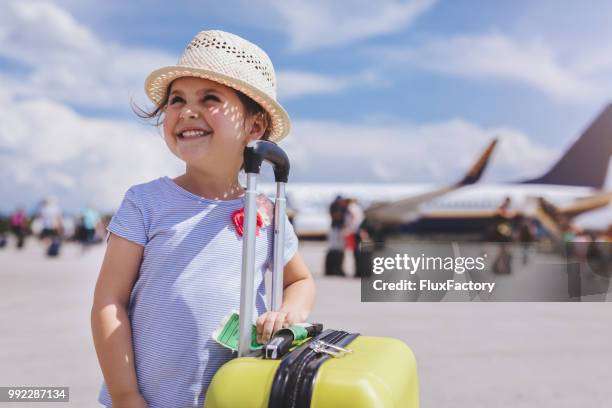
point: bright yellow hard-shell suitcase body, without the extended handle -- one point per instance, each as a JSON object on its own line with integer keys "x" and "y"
{"x": 380, "y": 372}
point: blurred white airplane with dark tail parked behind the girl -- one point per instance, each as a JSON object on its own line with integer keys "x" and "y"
{"x": 570, "y": 187}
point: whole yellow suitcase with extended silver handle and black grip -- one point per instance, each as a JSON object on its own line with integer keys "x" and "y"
{"x": 334, "y": 369}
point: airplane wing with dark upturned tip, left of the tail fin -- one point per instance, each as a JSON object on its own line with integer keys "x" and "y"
{"x": 407, "y": 209}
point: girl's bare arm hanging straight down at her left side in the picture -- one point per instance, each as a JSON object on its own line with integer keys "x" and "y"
{"x": 112, "y": 332}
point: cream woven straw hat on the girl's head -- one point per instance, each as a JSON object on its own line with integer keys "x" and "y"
{"x": 232, "y": 61}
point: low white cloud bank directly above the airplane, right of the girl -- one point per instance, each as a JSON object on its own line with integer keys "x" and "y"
{"x": 438, "y": 152}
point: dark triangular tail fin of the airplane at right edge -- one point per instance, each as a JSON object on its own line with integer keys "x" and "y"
{"x": 586, "y": 162}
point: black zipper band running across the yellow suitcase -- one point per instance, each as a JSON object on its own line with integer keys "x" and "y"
{"x": 293, "y": 383}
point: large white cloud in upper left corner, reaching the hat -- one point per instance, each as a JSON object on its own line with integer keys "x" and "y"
{"x": 64, "y": 60}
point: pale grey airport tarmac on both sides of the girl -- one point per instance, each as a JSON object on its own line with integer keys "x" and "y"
{"x": 469, "y": 354}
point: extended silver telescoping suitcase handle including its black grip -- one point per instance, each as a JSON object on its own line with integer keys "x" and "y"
{"x": 254, "y": 155}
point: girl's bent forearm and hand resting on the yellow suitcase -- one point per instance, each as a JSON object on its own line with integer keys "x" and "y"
{"x": 298, "y": 298}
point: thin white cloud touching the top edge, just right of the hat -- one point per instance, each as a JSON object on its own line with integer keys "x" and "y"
{"x": 320, "y": 23}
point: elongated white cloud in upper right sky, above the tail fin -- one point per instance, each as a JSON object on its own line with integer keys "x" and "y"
{"x": 497, "y": 56}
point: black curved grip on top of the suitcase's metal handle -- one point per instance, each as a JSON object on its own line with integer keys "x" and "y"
{"x": 256, "y": 152}
